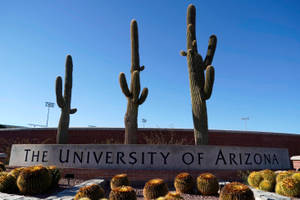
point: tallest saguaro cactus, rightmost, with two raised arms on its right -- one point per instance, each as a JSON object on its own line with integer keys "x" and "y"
{"x": 200, "y": 86}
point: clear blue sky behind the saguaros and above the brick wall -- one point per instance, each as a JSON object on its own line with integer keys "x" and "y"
{"x": 257, "y": 61}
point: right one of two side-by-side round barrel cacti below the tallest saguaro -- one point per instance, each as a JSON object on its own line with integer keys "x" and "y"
{"x": 207, "y": 184}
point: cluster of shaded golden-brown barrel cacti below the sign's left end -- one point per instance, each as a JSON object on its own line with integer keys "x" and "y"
{"x": 29, "y": 180}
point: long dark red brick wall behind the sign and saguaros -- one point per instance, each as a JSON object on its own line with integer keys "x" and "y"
{"x": 151, "y": 136}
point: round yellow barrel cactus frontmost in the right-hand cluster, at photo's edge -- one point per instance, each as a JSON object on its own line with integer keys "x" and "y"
{"x": 288, "y": 187}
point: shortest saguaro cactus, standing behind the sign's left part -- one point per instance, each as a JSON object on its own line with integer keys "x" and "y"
{"x": 64, "y": 102}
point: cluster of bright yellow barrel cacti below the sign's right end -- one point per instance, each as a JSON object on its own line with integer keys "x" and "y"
{"x": 285, "y": 183}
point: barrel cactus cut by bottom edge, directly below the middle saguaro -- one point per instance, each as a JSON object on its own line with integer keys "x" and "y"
{"x": 122, "y": 193}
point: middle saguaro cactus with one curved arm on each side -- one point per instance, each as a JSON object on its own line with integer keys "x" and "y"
{"x": 133, "y": 95}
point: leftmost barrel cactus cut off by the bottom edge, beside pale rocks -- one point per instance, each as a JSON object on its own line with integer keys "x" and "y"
{"x": 94, "y": 192}
